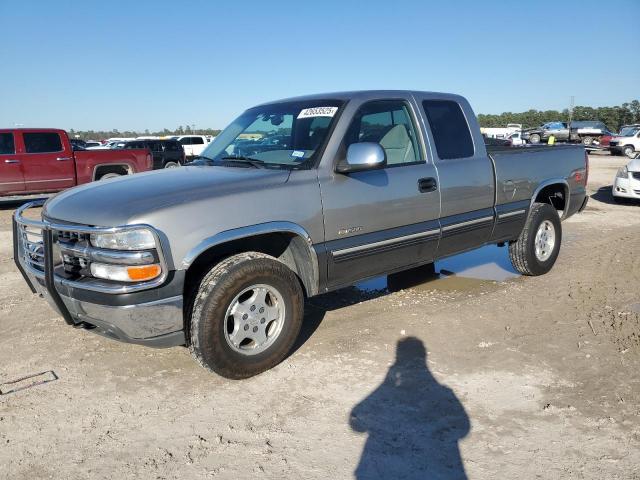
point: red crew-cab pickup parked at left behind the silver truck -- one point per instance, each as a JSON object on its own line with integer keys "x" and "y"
{"x": 40, "y": 160}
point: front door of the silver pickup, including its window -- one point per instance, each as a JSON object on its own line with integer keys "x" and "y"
{"x": 382, "y": 220}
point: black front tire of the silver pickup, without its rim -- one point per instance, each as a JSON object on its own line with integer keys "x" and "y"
{"x": 218, "y": 289}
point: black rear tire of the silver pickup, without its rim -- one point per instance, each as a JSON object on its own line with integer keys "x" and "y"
{"x": 522, "y": 252}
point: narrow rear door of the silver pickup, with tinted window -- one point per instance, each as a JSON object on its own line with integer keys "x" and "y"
{"x": 465, "y": 174}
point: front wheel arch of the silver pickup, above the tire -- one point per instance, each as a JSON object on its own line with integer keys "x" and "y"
{"x": 288, "y": 242}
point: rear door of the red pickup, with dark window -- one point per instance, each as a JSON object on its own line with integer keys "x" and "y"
{"x": 47, "y": 163}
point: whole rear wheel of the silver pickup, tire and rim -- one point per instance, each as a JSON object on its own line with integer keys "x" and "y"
{"x": 537, "y": 248}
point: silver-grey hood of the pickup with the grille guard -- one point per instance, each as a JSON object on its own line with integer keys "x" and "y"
{"x": 115, "y": 202}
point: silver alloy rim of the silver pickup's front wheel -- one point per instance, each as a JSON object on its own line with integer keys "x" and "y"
{"x": 254, "y": 319}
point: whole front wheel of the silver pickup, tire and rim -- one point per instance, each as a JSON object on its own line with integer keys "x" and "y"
{"x": 246, "y": 315}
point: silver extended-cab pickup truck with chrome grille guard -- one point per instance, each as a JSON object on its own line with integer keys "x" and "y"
{"x": 293, "y": 199}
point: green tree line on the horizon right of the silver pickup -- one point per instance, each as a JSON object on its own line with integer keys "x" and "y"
{"x": 612, "y": 117}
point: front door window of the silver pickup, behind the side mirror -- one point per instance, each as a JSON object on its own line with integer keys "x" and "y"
{"x": 387, "y": 122}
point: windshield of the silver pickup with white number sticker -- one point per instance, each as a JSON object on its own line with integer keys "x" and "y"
{"x": 280, "y": 135}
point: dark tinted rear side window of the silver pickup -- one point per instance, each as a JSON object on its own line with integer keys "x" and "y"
{"x": 449, "y": 128}
